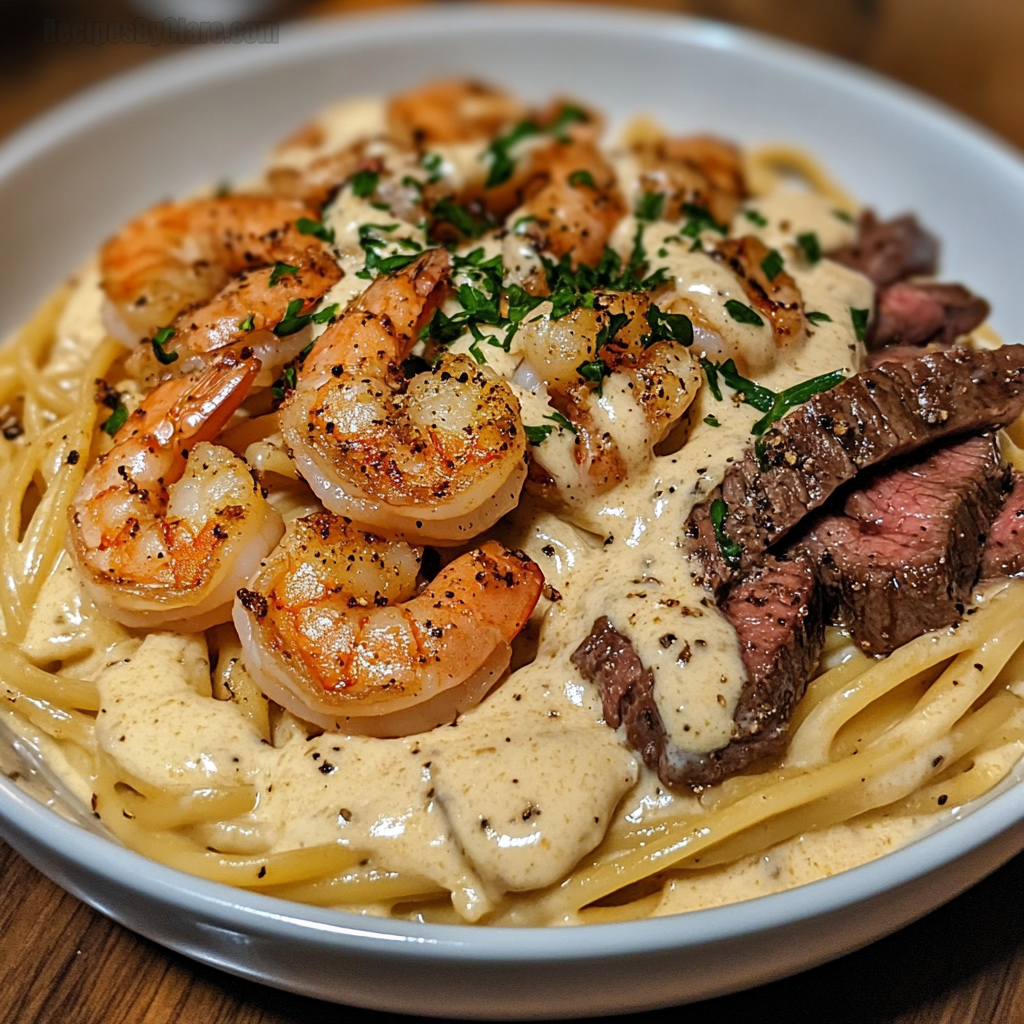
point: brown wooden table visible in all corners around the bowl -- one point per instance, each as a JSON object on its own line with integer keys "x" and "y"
{"x": 62, "y": 962}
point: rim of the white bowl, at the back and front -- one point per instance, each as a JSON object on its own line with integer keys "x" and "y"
{"x": 250, "y": 913}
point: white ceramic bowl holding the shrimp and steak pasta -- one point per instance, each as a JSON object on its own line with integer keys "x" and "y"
{"x": 74, "y": 176}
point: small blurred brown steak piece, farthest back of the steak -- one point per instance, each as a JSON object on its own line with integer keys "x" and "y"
{"x": 887, "y": 251}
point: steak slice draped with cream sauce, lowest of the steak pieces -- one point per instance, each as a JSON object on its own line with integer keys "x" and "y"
{"x": 779, "y": 619}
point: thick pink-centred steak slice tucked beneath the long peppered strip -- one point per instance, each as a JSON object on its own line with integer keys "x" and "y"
{"x": 904, "y": 556}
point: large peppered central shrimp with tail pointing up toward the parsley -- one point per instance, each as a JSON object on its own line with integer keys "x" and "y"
{"x": 440, "y": 457}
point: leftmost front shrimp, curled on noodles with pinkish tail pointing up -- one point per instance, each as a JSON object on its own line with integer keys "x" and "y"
{"x": 166, "y": 526}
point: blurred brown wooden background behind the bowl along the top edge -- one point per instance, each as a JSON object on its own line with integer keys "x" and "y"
{"x": 969, "y": 54}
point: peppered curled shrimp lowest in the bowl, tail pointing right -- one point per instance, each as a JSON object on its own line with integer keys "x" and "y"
{"x": 333, "y": 630}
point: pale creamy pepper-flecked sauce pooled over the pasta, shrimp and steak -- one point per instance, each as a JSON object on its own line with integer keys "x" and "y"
{"x": 511, "y": 796}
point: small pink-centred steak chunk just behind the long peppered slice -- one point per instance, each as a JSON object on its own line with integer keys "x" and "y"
{"x": 917, "y": 315}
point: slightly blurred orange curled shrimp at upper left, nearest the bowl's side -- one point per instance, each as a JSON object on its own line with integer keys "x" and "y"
{"x": 180, "y": 255}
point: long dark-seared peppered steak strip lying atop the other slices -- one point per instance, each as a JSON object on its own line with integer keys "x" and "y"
{"x": 874, "y": 416}
